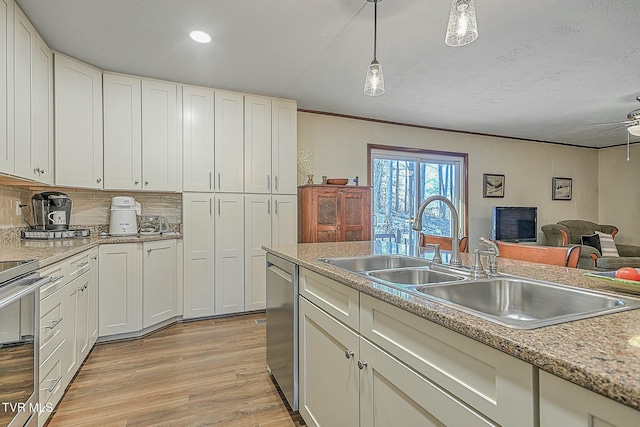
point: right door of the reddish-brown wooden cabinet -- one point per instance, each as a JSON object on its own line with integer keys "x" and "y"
{"x": 355, "y": 214}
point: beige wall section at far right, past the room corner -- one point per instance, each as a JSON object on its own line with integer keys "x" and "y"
{"x": 618, "y": 201}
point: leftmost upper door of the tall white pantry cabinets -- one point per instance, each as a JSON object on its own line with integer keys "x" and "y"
{"x": 197, "y": 138}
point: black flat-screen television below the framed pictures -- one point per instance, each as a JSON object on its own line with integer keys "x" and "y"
{"x": 514, "y": 224}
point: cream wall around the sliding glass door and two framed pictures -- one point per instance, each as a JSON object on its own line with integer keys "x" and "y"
{"x": 339, "y": 146}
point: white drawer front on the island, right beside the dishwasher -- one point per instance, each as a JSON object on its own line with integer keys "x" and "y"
{"x": 339, "y": 300}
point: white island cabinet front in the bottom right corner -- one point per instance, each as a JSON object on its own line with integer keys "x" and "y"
{"x": 568, "y": 405}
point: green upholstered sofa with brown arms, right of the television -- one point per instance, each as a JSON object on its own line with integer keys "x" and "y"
{"x": 569, "y": 233}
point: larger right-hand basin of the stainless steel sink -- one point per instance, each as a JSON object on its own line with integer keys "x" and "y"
{"x": 526, "y": 304}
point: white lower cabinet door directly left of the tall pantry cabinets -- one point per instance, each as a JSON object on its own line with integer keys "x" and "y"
{"x": 159, "y": 282}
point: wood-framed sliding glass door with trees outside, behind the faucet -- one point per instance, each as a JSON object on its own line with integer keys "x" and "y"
{"x": 402, "y": 178}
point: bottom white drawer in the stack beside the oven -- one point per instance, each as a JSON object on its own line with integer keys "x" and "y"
{"x": 51, "y": 383}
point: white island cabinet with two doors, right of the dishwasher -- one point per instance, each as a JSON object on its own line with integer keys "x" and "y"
{"x": 393, "y": 368}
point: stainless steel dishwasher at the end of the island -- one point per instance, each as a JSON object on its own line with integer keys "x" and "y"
{"x": 282, "y": 326}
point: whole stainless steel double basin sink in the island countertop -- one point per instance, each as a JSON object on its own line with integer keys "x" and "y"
{"x": 511, "y": 301}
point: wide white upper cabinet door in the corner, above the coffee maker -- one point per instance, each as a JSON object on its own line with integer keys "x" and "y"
{"x": 78, "y": 124}
